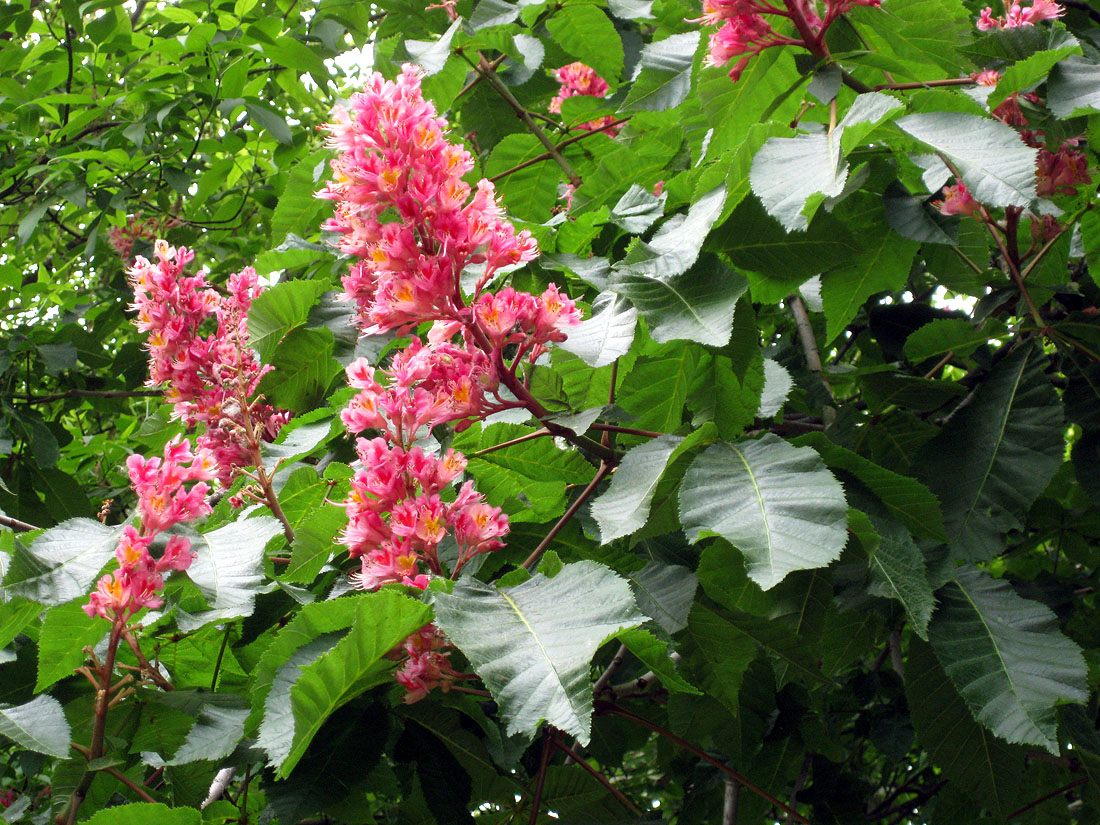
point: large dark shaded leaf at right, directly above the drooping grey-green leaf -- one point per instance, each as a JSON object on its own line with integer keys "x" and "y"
{"x": 996, "y": 455}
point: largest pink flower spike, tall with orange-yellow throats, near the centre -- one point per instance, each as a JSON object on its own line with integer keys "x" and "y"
{"x": 403, "y": 208}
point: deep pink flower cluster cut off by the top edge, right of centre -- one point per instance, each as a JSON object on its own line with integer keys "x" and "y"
{"x": 746, "y": 31}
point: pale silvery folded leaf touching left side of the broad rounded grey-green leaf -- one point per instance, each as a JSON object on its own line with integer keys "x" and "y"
{"x": 624, "y": 508}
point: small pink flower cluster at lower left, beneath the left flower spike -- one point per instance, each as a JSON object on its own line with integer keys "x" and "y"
{"x": 163, "y": 501}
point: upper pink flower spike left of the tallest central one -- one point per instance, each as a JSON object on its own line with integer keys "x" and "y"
{"x": 208, "y": 378}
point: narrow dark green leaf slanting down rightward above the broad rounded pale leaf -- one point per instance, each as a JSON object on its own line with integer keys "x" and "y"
{"x": 907, "y": 500}
